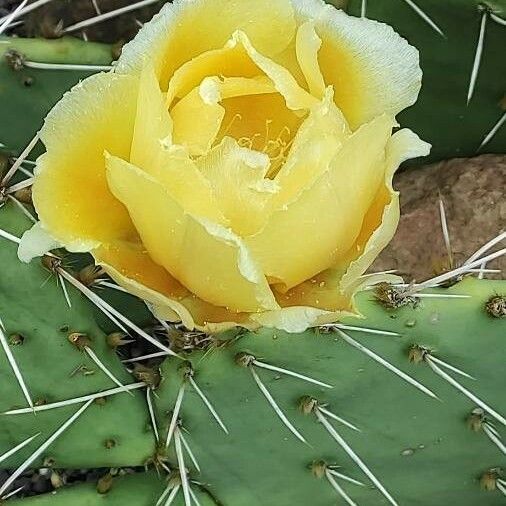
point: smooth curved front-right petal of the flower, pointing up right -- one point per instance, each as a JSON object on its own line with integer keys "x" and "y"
{"x": 327, "y": 217}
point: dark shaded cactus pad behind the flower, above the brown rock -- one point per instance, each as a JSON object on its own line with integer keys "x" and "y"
{"x": 447, "y": 61}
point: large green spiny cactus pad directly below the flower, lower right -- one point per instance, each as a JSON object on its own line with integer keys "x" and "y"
{"x": 421, "y": 449}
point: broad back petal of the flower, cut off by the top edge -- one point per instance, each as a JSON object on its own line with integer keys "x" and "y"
{"x": 185, "y": 29}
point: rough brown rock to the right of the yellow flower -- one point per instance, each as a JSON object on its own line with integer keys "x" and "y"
{"x": 473, "y": 192}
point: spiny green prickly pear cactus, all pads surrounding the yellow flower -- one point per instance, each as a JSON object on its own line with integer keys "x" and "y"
{"x": 250, "y": 414}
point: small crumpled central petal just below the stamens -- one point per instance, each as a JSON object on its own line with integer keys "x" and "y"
{"x": 236, "y": 175}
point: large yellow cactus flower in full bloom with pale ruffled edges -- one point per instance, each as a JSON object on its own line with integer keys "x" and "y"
{"x": 236, "y": 166}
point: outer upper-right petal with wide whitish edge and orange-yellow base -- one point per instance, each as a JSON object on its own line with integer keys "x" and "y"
{"x": 372, "y": 68}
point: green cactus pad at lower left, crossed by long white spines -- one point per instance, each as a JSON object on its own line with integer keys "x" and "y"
{"x": 32, "y": 305}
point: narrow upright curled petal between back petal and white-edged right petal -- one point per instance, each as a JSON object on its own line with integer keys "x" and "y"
{"x": 307, "y": 47}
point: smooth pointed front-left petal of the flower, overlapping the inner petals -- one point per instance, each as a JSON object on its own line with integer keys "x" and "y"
{"x": 208, "y": 259}
